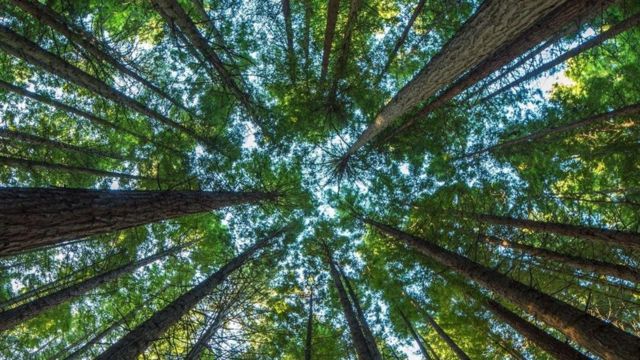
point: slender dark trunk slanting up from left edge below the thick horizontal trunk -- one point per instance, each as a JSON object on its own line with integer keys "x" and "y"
{"x": 24, "y": 312}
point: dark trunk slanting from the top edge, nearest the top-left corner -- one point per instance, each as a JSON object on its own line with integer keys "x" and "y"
{"x": 46, "y": 15}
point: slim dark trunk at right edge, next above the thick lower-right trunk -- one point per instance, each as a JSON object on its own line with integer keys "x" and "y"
{"x": 586, "y": 265}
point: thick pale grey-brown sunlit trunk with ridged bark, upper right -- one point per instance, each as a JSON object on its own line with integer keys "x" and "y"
{"x": 495, "y": 24}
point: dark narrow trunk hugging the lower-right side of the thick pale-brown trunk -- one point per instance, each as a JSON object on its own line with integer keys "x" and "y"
{"x": 567, "y": 16}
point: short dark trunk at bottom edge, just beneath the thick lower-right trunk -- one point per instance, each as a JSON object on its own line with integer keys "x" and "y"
{"x": 546, "y": 342}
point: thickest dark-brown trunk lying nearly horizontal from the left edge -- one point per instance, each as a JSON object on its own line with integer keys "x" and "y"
{"x": 35, "y": 217}
